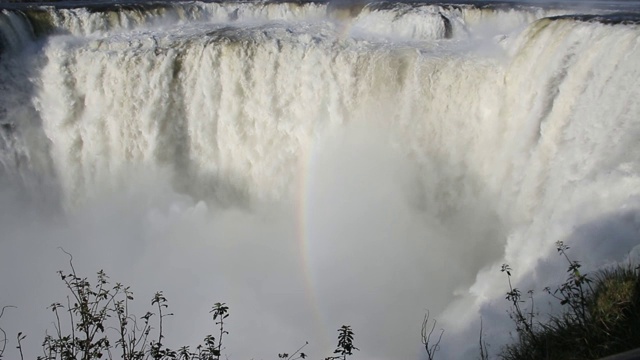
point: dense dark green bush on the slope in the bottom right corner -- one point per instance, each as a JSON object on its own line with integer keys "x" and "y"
{"x": 601, "y": 316}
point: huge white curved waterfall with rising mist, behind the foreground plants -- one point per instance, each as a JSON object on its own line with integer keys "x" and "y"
{"x": 315, "y": 164}
